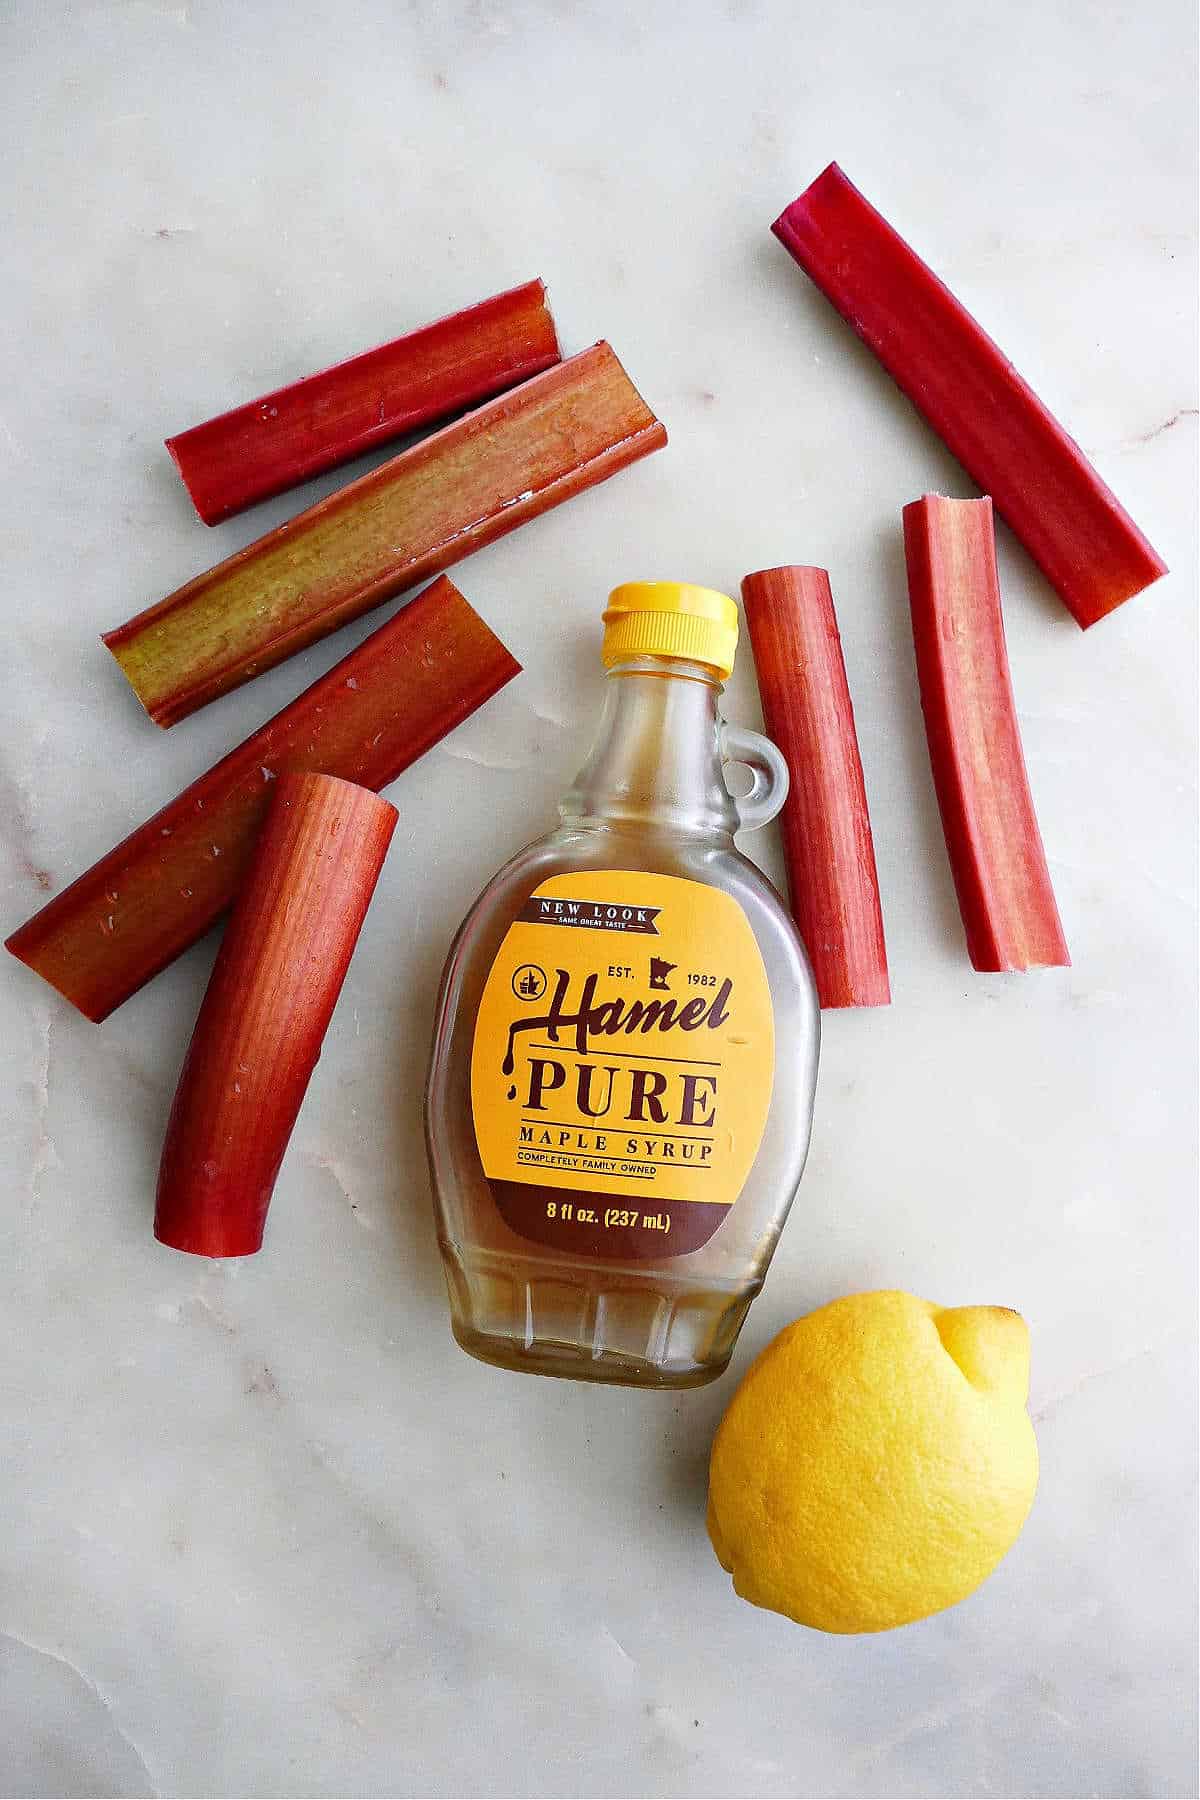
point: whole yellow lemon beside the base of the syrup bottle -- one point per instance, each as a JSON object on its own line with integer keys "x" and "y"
{"x": 877, "y": 1462}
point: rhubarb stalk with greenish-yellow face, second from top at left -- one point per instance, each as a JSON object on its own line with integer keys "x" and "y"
{"x": 425, "y": 510}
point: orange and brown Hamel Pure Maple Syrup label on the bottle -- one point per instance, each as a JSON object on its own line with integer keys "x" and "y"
{"x": 625, "y": 1052}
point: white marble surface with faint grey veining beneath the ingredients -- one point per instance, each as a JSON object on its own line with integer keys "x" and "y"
{"x": 264, "y": 1529}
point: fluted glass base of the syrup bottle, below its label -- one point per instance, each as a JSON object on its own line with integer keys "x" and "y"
{"x": 591, "y": 1324}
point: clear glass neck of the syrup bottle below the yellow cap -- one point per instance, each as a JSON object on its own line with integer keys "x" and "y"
{"x": 658, "y": 757}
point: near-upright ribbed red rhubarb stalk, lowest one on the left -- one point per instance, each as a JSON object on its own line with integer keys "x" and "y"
{"x": 264, "y": 1020}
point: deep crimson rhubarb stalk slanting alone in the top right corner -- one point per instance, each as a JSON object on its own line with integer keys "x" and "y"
{"x": 1079, "y": 534}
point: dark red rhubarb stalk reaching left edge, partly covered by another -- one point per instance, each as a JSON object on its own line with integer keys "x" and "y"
{"x": 370, "y": 717}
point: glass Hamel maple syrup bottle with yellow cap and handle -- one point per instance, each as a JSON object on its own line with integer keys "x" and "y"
{"x": 622, "y": 1088}
